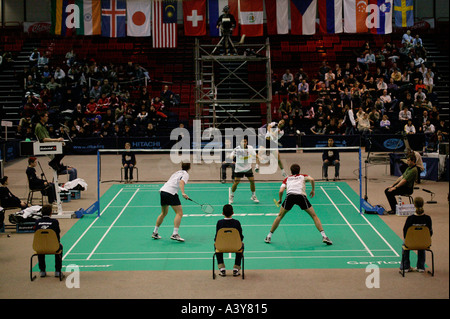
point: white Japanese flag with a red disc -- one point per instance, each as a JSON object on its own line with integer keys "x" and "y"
{"x": 138, "y": 18}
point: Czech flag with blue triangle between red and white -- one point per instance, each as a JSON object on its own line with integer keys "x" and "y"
{"x": 303, "y": 17}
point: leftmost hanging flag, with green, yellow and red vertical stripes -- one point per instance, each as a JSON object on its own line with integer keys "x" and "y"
{"x": 65, "y": 17}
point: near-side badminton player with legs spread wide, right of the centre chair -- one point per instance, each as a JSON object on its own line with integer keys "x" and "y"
{"x": 295, "y": 186}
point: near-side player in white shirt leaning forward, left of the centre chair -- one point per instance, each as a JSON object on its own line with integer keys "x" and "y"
{"x": 169, "y": 197}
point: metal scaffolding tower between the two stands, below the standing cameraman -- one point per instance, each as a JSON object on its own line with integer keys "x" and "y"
{"x": 224, "y": 93}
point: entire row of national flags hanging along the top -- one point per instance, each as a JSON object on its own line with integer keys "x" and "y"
{"x": 158, "y": 18}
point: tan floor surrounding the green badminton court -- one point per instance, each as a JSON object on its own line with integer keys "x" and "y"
{"x": 15, "y": 250}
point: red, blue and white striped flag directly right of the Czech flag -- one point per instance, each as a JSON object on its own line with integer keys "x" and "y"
{"x": 330, "y": 16}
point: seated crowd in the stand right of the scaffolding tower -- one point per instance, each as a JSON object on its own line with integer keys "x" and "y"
{"x": 385, "y": 90}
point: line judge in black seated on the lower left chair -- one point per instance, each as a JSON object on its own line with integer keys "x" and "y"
{"x": 46, "y": 222}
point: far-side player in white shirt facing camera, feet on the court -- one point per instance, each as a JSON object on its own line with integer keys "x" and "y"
{"x": 245, "y": 155}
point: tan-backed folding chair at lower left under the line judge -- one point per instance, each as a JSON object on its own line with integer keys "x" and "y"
{"x": 45, "y": 242}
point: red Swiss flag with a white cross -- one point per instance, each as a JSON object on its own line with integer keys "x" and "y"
{"x": 194, "y": 17}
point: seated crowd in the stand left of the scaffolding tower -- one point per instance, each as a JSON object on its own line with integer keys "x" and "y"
{"x": 87, "y": 99}
